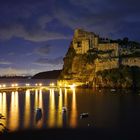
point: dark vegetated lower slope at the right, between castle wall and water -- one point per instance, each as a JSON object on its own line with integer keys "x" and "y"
{"x": 125, "y": 76}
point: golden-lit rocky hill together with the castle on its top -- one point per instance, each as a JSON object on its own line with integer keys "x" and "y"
{"x": 90, "y": 60}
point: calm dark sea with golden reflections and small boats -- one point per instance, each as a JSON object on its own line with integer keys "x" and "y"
{"x": 120, "y": 109}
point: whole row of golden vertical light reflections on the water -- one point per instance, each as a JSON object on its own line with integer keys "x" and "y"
{"x": 55, "y": 116}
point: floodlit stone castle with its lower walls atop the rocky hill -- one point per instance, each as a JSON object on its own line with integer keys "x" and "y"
{"x": 108, "y": 53}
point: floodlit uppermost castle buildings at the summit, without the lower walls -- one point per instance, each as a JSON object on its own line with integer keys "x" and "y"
{"x": 84, "y": 41}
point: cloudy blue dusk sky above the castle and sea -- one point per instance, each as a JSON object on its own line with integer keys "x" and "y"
{"x": 35, "y": 34}
